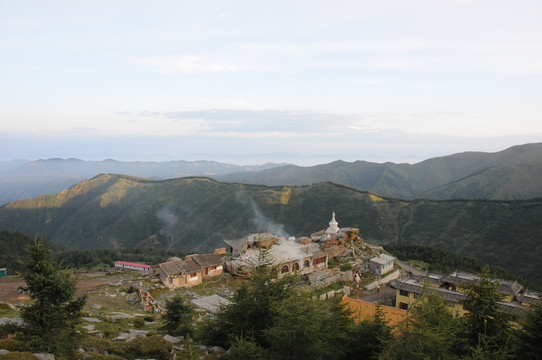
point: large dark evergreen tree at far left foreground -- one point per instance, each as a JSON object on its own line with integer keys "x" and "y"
{"x": 51, "y": 318}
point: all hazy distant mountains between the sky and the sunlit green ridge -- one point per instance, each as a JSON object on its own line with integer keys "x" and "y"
{"x": 511, "y": 174}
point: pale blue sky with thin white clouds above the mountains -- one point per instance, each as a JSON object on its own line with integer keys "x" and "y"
{"x": 249, "y": 82}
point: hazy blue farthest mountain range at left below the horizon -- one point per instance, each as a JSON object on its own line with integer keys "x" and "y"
{"x": 22, "y": 179}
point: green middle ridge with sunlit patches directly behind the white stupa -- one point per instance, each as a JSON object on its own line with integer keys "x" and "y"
{"x": 197, "y": 214}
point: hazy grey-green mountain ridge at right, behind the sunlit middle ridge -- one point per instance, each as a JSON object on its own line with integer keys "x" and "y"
{"x": 511, "y": 174}
